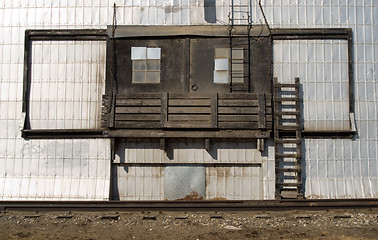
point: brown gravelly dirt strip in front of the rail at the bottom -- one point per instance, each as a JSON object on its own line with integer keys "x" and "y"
{"x": 331, "y": 224}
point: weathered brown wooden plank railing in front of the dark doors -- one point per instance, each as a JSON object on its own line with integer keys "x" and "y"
{"x": 188, "y": 111}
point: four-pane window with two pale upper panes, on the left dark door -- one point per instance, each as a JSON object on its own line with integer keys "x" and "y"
{"x": 145, "y": 64}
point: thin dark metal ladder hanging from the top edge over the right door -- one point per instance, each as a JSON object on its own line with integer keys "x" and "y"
{"x": 239, "y": 74}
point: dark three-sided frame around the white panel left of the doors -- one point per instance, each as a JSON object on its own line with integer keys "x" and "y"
{"x": 54, "y": 35}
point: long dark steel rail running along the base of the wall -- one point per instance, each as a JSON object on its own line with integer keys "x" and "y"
{"x": 224, "y": 205}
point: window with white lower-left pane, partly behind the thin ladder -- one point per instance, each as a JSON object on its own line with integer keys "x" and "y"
{"x": 223, "y": 65}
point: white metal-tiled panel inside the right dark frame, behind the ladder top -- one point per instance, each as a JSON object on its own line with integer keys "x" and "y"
{"x": 322, "y": 66}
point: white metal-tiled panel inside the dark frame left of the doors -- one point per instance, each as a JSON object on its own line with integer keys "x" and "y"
{"x": 68, "y": 81}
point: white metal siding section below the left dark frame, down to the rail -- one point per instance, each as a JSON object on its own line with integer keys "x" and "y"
{"x": 55, "y": 170}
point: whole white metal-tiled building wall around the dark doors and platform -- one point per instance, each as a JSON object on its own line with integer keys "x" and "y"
{"x": 79, "y": 169}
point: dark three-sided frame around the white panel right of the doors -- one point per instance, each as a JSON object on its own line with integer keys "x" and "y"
{"x": 324, "y": 34}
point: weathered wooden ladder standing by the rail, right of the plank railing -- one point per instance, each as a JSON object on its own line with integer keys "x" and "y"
{"x": 287, "y": 139}
